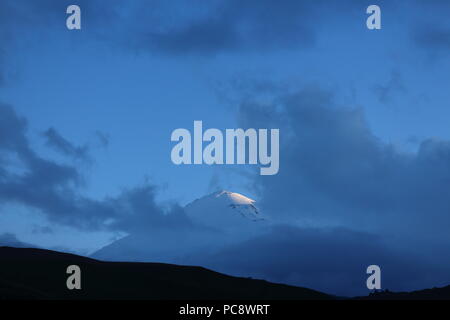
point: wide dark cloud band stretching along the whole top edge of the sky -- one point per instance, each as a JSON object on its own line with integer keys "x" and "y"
{"x": 198, "y": 28}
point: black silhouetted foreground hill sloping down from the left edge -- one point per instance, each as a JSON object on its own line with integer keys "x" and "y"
{"x": 41, "y": 274}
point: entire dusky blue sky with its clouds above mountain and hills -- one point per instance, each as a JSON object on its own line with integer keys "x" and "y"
{"x": 86, "y": 116}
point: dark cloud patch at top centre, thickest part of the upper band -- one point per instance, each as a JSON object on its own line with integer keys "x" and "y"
{"x": 234, "y": 25}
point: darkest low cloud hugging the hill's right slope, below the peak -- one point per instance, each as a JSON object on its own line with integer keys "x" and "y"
{"x": 330, "y": 260}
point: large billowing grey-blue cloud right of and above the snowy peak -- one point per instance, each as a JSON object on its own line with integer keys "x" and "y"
{"x": 332, "y": 166}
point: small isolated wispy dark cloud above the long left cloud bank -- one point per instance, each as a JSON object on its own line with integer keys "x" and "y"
{"x": 57, "y": 142}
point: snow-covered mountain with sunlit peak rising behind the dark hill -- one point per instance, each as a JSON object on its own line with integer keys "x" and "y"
{"x": 218, "y": 219}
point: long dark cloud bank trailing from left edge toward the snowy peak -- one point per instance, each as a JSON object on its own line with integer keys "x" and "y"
{"x": 54, "y": 189}
